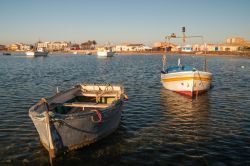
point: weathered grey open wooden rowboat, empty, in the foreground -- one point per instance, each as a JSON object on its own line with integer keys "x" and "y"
{"x": 77, "y": 117}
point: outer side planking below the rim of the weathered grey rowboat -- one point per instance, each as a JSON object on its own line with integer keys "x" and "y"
{"x": 73, "y": 133}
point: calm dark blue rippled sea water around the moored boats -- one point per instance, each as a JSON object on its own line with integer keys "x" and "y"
{"x": 158, "y": 127}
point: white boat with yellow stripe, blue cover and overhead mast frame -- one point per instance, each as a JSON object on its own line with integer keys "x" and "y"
{"x": 183, "y": 79}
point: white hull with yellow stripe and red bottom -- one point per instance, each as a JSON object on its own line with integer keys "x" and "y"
{"x": 187, "y": 82}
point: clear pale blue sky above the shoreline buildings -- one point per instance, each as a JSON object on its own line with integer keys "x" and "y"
{"x": 118, "y": 21}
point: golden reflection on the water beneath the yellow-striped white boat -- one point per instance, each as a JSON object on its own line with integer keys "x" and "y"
{"x": 187, "y": 119}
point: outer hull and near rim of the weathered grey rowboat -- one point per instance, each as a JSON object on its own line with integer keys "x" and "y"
{"x": 64, "y": 132}
